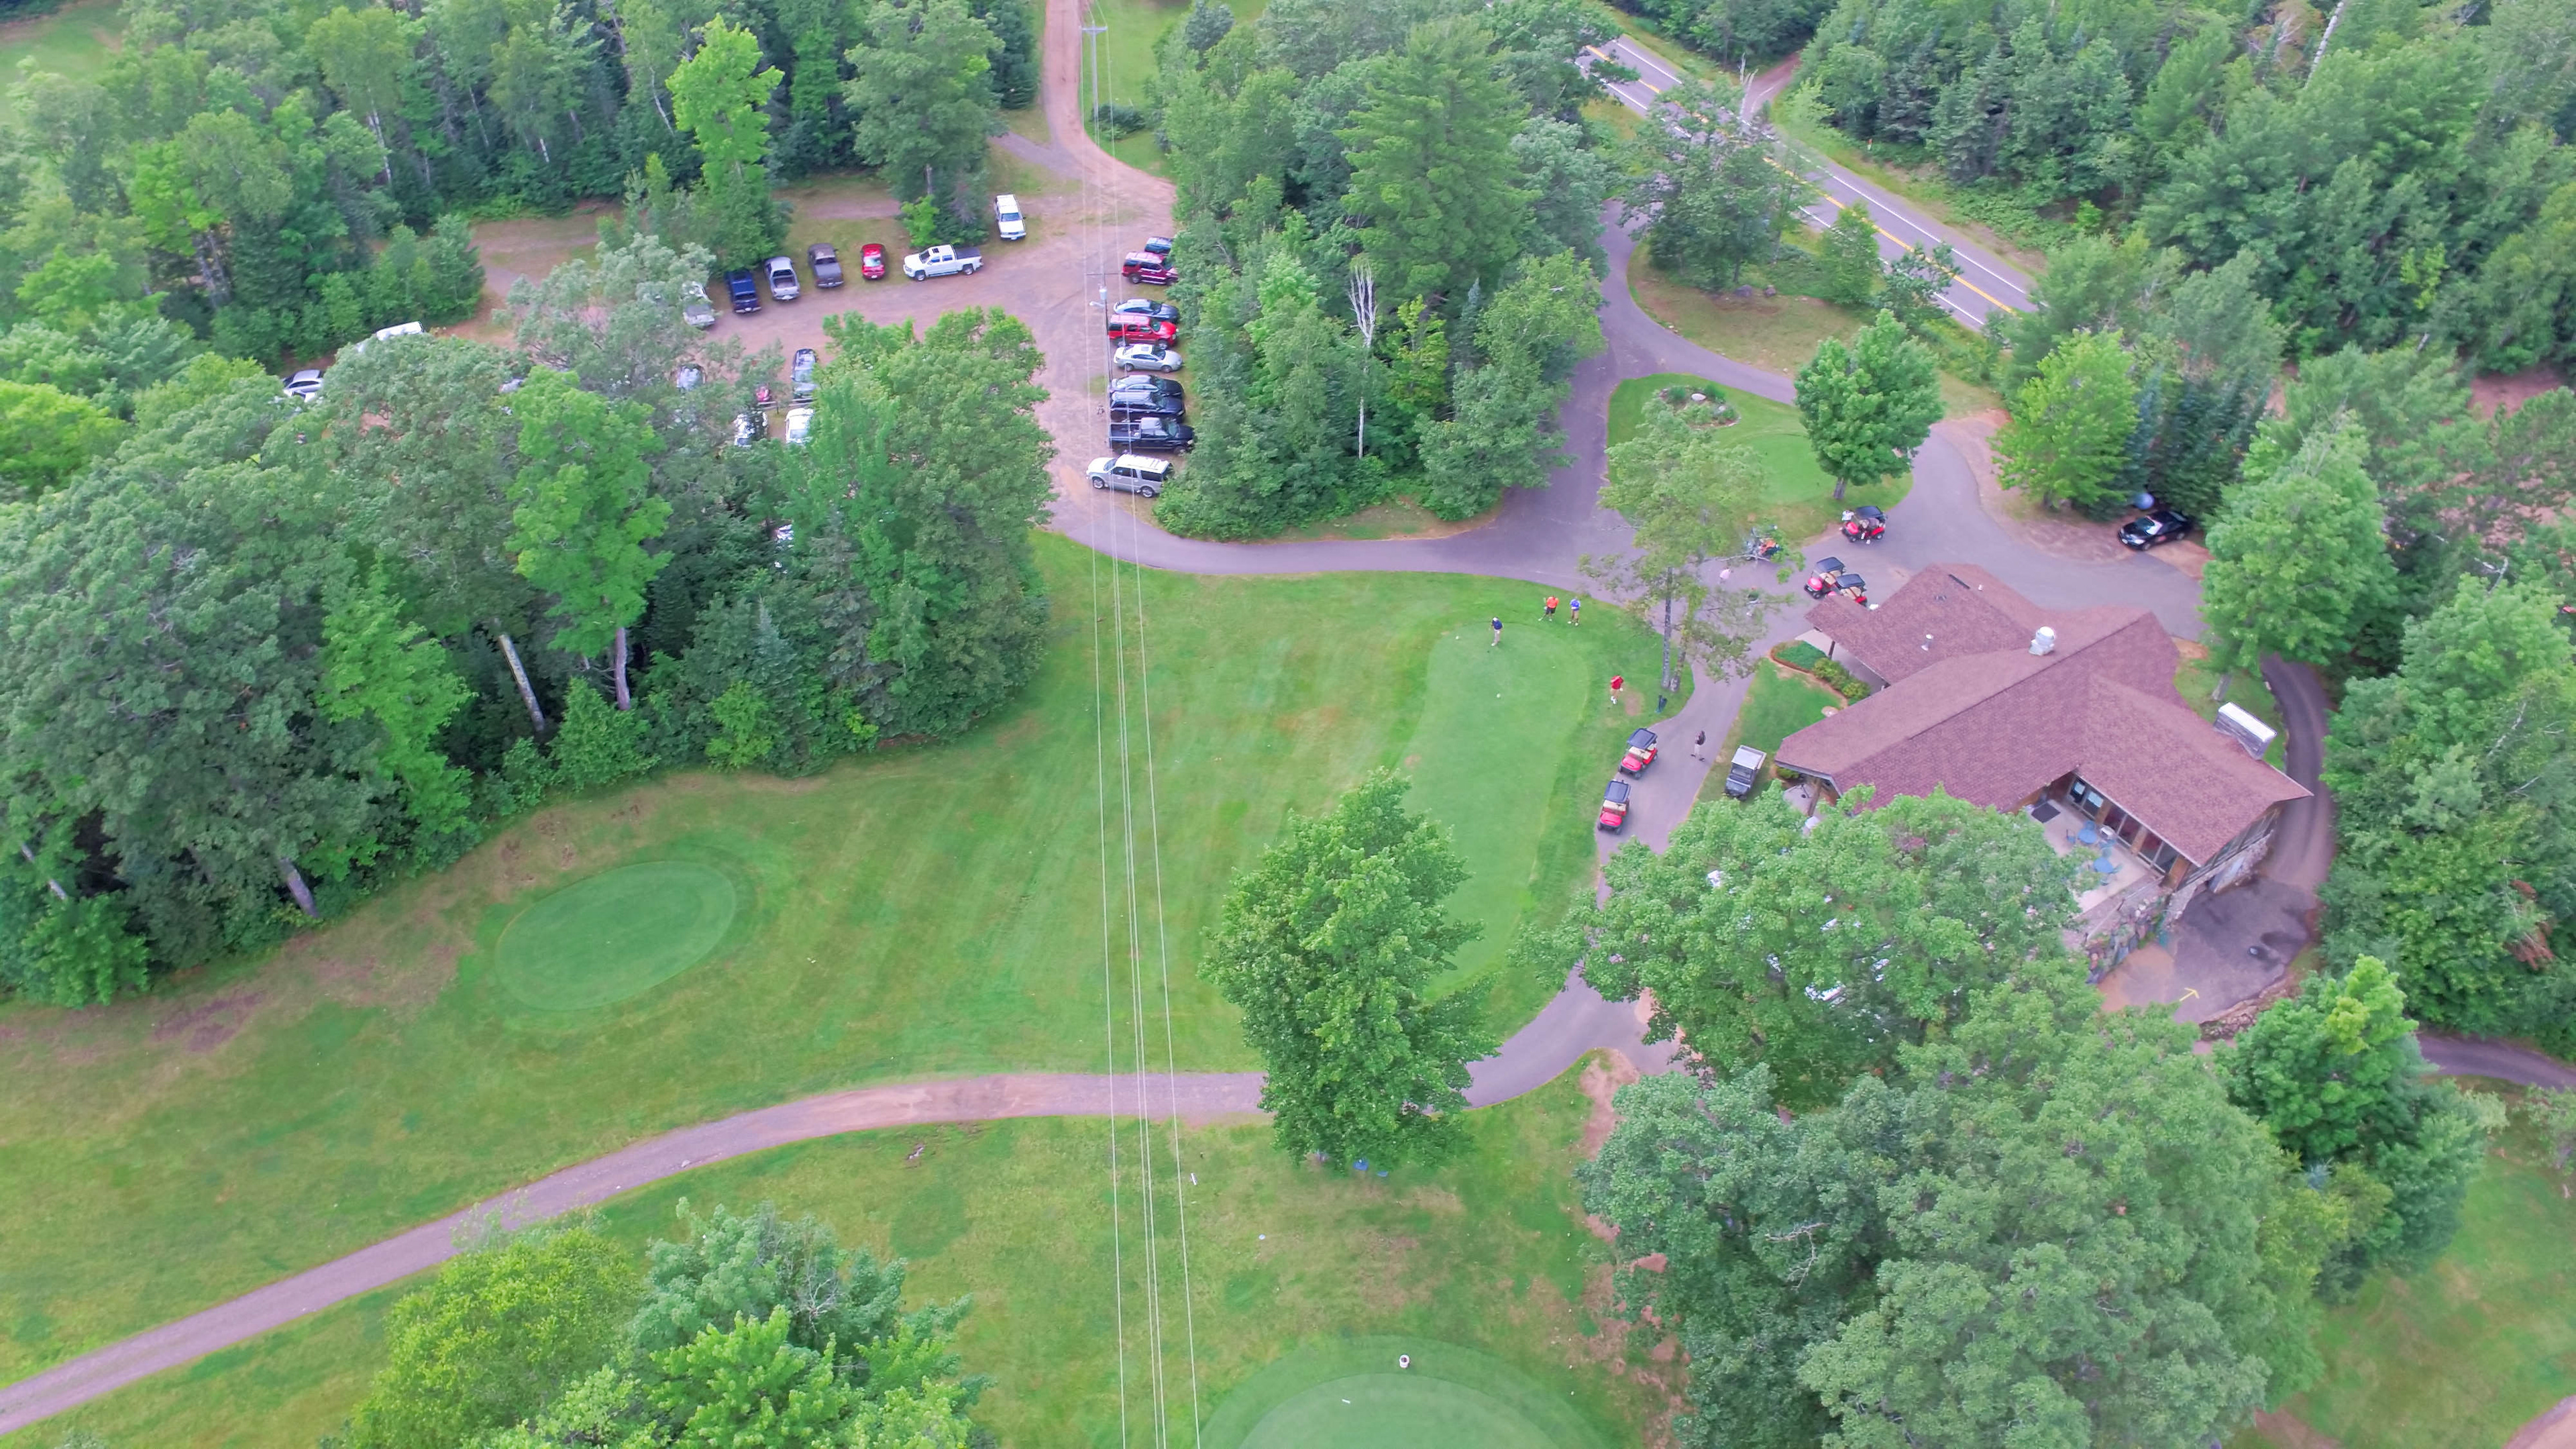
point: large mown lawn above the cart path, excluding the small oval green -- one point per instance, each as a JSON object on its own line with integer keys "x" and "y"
{"x": 929, "y": 911}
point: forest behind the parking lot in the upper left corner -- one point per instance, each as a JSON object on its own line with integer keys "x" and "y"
{"x": 285, "y": 179}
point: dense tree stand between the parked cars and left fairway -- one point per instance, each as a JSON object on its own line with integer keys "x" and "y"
{"x": 274, "y": 654}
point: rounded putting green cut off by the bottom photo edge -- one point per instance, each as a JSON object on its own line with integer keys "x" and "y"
{"x": 1354, "y": 1396}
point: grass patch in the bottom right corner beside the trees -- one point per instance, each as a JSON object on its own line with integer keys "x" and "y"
{"x": 2477, "y": 1345}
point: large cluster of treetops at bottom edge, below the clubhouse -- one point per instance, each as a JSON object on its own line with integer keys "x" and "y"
{"x": 2044, "y": 1226}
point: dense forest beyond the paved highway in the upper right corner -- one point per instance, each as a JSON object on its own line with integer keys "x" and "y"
{"x": 2382, "y": 171}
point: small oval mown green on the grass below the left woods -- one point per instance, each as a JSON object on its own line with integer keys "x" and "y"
{"x": 614, "y": 935}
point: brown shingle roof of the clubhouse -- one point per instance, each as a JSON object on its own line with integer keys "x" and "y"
{"x": 1987, "y": 721}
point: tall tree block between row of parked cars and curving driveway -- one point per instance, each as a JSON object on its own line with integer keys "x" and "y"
{"x": 1390, "y": 251}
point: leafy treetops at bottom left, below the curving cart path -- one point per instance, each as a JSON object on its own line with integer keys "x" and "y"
{"x": 753, "y": 1329}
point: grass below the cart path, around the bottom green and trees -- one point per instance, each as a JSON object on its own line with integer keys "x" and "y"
{"x": 1289, "y": 1267}
